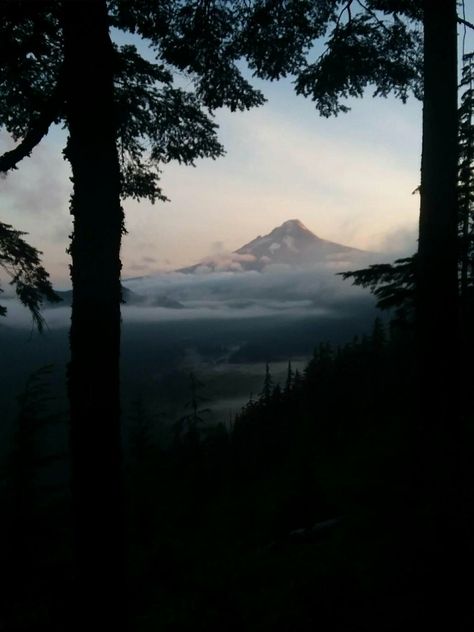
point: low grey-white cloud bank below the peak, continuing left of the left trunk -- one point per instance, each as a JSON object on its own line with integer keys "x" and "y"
{"x": 279, "y": 290}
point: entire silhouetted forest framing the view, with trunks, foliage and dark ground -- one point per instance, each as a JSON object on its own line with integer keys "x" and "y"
{"x": 339, "y": 497}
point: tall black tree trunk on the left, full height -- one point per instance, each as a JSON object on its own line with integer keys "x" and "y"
{"x": 95, "y": 323}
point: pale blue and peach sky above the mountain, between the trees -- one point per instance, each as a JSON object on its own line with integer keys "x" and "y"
{"x": 349, "y": 179}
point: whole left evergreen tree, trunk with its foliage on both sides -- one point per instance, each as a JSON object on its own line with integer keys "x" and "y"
{"x": 124, "y": 118}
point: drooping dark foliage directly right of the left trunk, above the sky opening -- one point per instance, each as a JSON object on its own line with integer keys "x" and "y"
{"x": 157, "y": 123}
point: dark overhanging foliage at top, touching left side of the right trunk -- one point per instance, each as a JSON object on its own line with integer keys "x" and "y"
{"x": 365, "y": 43}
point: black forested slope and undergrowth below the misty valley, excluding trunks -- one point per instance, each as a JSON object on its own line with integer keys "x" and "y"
{"x": 309, "y": 509}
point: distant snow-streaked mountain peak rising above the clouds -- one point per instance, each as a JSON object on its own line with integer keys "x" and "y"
{"x": 291, "y": 244}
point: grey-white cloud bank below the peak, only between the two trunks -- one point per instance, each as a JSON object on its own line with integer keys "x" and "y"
{"x": 278, "y": 289}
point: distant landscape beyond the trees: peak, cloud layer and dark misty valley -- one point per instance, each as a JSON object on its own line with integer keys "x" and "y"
{"x": 271, "y": 300}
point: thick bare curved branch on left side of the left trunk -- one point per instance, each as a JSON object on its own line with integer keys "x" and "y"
{"x": 10, "y": 159}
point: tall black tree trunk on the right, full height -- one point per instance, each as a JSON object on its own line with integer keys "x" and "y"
{"x": 440, "y": 541}
